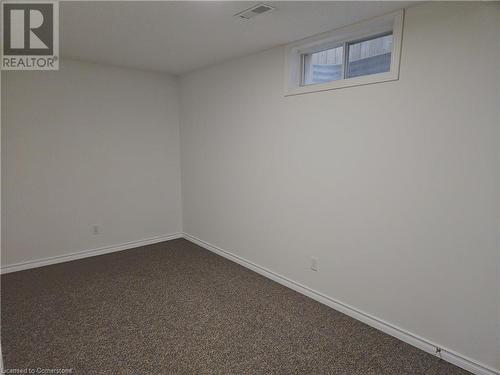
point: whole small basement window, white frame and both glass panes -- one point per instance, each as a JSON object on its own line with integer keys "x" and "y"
{"x": 360, "y": 54}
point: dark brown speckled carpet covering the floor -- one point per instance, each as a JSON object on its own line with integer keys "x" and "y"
{"x": 175, "y": 308}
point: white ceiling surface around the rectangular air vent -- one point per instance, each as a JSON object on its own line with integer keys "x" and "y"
{"x": 177, "y": 37}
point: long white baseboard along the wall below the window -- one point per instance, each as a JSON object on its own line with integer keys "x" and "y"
{"x": 403, "y": 335}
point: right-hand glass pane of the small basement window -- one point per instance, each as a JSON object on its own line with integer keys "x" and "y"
{"x": 370, "y": 56}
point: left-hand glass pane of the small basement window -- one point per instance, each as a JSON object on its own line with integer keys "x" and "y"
{"x": 323, "y": 66}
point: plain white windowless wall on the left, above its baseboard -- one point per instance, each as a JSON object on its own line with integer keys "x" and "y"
{"x": 87, "y": 145}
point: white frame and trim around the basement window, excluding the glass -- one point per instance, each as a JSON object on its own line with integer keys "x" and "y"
{"x": 294, "y": 53}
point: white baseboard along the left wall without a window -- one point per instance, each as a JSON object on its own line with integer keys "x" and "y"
{"x": 87, "y": 253}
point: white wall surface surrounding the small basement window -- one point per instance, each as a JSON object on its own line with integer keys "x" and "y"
{"x": 394, "y": 186}
